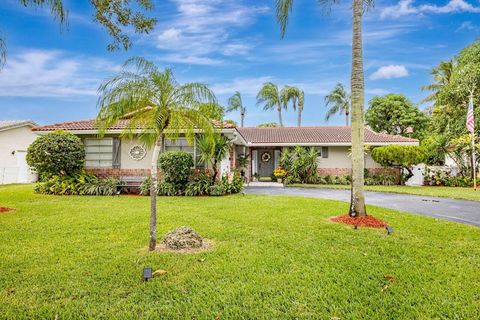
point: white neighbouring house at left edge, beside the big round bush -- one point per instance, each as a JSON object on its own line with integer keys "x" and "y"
{"x": 15, "y": 137}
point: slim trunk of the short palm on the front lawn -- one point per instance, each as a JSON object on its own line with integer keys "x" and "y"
{"x": 153, "y": 194}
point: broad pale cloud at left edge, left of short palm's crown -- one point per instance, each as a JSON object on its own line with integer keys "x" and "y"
{"x": 51, "y": 73}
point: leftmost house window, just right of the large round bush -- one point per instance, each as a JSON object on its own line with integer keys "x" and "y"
{"x": 99, "y": 152}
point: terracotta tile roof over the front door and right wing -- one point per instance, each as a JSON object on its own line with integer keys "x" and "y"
{"x": 324, "y": 134}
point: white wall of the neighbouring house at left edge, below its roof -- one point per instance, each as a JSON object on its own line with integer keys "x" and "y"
{"x": 17, "y": 139}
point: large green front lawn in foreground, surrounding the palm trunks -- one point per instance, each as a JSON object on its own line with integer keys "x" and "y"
{"x": 274, "y": 258}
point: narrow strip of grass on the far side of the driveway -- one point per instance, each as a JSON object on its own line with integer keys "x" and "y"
{"x": 445, "y": 192}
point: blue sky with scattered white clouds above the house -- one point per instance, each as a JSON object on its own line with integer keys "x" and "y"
{"x": 52, "y": 75}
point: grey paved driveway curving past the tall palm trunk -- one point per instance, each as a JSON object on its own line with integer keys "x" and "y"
{"x": 463, "y": 211}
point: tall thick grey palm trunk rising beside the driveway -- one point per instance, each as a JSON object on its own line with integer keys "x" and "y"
{"x": 357, "y": 205}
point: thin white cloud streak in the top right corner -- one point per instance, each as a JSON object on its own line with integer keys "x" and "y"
{"x": 407, "y": 7}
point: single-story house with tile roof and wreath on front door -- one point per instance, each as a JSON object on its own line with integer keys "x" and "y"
{"x": 113, "y": 155}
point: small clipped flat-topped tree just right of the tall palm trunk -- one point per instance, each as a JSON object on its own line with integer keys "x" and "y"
{"x": 403, "y": 157}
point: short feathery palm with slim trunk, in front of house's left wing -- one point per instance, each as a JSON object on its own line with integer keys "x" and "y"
{"x": 151, "y": 101}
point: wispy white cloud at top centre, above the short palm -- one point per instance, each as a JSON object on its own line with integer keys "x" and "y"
{"x": 204, "y": 31}
